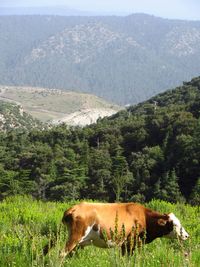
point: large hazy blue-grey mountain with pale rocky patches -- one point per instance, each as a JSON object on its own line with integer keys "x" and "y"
{"x": 125, "y": 60}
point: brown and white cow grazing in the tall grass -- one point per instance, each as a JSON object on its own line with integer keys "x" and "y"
{"x": 122, "y": 224}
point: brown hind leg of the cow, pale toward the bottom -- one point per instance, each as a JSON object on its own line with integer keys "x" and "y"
{"x": 77, "y": 231}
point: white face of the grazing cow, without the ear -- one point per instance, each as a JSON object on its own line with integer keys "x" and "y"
{"x": 178, "y": 229}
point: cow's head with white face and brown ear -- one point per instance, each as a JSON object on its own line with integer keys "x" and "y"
{"x": 176, "y": 229}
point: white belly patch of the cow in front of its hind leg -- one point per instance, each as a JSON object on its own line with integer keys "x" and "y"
{"x": 92, "y": 237}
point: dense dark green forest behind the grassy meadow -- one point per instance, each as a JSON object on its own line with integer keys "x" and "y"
{"x": 151, "y": 150}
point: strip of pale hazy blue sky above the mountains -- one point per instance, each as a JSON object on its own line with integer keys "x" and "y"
{"x": 180, "y": 9}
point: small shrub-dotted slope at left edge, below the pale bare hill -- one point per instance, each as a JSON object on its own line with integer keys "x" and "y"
{"x": 12, "y": 116}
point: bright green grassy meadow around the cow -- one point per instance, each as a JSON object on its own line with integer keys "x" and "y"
{"x": 26, "y": 225}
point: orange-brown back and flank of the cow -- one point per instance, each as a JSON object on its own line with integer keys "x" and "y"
{"x": 109, "y": 216}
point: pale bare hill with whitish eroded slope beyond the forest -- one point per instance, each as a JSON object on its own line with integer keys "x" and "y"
{"x": 57, "y": 105}
